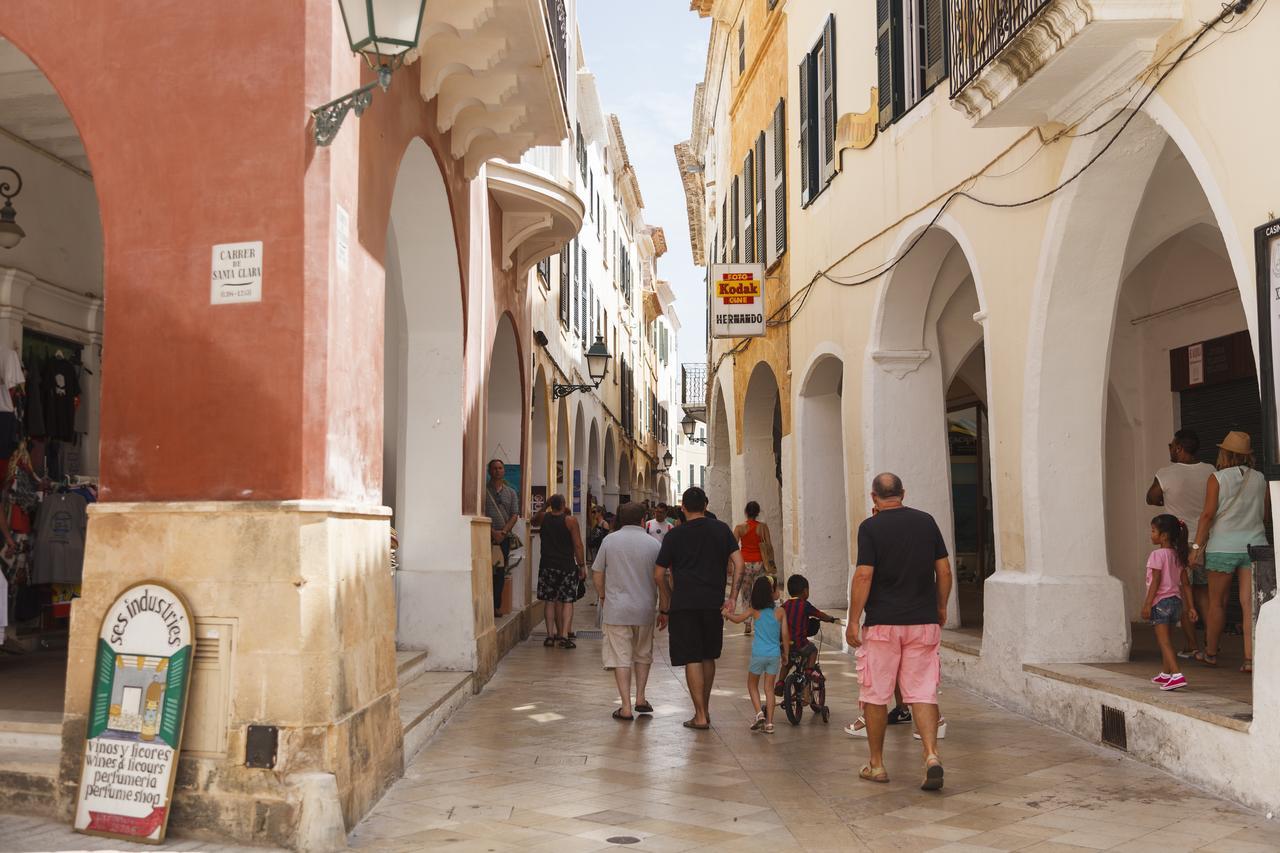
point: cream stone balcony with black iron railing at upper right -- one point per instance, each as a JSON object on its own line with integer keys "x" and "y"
{"x": 1021, "y": 63}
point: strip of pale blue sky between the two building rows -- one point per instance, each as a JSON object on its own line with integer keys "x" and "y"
{"x": 647, "y": 60}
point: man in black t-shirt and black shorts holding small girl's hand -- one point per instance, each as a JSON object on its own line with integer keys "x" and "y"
{"x": 701, "y": 554}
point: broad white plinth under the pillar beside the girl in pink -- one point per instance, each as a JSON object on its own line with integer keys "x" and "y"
{"x": 1055, "y": 619}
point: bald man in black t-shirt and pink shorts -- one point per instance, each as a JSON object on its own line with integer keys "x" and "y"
{"x": 902, "y": 586}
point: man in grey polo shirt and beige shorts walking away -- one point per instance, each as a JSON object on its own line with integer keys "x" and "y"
{"x": 623, "y": 574}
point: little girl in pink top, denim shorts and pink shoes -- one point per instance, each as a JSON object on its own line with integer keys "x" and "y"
{"x": 1168, "y": 589}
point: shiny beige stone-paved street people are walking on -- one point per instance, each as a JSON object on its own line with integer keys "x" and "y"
{"x": 536, "y": 763}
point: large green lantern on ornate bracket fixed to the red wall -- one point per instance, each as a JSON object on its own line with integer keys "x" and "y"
{"x": 382, "y": 31}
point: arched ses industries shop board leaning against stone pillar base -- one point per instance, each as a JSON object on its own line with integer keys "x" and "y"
{"x": 141, "y": 679}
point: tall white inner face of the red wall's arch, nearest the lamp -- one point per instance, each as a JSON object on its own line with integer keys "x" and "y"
{"x": 423, "y": 409}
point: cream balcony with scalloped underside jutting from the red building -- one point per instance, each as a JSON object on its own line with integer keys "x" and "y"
{"x": 497, "y": 71}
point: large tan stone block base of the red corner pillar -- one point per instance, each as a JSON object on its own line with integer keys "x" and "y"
{"x": 295, "y": 628}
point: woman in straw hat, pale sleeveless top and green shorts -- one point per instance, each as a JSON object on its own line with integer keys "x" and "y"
{"x": 1236, "y": 504}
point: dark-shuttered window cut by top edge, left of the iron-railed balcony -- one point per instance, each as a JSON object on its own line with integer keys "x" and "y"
{"x": 911, "y": 51}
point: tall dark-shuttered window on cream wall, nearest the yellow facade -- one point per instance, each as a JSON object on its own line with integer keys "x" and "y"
{"x": 819, "y": 115}
